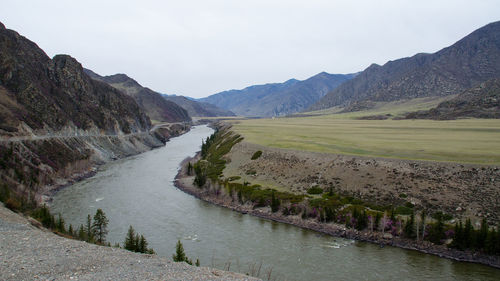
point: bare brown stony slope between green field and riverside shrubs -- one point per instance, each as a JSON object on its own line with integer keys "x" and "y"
{"x": 464, "y": 191}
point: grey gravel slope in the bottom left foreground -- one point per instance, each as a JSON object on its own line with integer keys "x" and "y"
{"x": 30, "y": 253}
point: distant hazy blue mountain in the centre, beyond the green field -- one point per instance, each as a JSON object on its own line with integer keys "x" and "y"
{"x": 277, "y": 99}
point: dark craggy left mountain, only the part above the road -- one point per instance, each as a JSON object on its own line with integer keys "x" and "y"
{"x": 39, "y": 93}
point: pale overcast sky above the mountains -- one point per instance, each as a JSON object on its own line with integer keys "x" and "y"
{"x": 198, "y": 48}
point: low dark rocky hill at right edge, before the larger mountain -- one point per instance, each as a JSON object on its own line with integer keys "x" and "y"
{"x": 482, "y": 101}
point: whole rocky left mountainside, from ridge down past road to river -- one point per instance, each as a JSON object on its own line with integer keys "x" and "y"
{"x": 56, "y": 122}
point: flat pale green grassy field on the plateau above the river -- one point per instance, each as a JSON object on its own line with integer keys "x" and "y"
{"x": 467, "y": 140}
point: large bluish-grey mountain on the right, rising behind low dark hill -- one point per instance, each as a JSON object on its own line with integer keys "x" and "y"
{"x": 470, "y": 61}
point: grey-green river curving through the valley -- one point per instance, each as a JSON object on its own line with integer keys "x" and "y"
{"x": 139, "y": 191}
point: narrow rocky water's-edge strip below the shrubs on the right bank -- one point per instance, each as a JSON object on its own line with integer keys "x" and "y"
{"x": 185, "y": 183}
